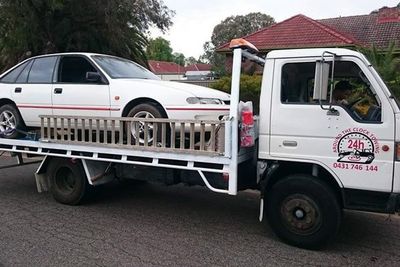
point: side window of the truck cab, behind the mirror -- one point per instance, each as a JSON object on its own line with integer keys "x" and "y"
{"x": 352, "y": 90}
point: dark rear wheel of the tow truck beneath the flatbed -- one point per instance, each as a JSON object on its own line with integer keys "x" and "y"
{"x": 67, "y": 179}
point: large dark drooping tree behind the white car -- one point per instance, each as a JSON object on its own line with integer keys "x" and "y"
{"x": 32, "y": 27}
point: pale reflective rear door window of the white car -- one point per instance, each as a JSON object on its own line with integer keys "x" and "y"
{"x": 42, "y": 70}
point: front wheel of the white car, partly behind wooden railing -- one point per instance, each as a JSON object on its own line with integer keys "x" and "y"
{"x": 145, "y": 111}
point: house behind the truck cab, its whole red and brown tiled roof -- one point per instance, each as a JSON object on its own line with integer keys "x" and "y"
{"x": 378, "y": 28}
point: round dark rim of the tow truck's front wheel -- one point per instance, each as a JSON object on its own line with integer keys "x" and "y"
{"x": 301, "y": 214}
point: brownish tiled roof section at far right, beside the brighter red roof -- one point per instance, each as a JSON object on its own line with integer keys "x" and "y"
{"x": 379, "y": 28}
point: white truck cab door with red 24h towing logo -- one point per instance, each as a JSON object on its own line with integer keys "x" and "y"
{"x": 355, "y": 143}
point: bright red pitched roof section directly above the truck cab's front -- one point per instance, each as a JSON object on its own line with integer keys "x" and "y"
{"x": 295, "y": 32}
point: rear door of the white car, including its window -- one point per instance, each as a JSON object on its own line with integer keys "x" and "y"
{"x": 32, "y": 89}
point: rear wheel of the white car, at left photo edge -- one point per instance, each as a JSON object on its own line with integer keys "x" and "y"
{"x": 10, "y": 120}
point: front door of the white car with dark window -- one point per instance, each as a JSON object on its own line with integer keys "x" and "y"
{"x": 74, "y": 94}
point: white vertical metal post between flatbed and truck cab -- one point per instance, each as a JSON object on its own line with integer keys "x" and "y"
{"x": 233, "y": 116}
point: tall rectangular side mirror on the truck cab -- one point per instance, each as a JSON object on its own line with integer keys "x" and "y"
{"x": 321, "y": 81}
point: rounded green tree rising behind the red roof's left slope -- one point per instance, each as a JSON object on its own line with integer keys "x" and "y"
{"x": 230, "y": 28}
